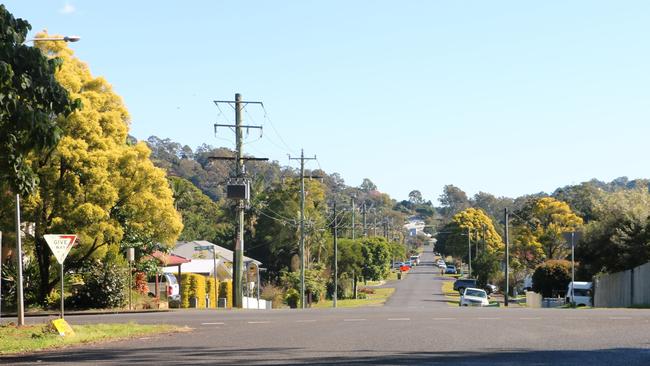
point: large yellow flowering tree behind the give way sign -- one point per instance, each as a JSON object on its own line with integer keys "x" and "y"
{"x": 96, "y": 183}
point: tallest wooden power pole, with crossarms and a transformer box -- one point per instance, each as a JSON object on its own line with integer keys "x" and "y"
{"x": 238, "y": 260}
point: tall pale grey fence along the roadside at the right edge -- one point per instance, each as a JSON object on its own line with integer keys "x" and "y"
{"x": 623, "y": 289}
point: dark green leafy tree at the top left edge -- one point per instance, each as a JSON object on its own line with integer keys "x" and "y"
{"x": 32, "y": 104}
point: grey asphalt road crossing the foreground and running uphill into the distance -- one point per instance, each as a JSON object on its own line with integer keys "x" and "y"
{"x": 408, "y": 330}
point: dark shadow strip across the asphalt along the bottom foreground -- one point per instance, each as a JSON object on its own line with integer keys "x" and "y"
{"x": 299, "y": 356}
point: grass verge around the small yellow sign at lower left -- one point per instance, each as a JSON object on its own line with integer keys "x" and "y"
{"x": 39, "y": 337}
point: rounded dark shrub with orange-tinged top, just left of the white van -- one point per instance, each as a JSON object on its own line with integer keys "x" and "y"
{"x": 552, "y": 277}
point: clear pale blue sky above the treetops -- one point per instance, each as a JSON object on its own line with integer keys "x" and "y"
{"x": 507, "y": 97}
